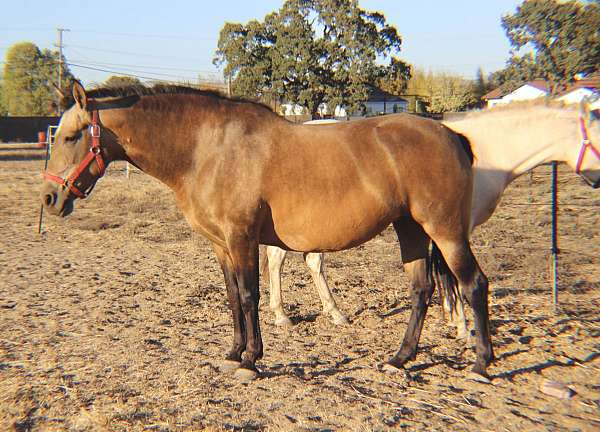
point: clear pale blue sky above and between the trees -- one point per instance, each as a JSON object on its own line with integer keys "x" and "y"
{"x": 176, "y": 39}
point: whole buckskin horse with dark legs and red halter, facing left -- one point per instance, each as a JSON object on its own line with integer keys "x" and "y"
{"x": 244, "y": 176}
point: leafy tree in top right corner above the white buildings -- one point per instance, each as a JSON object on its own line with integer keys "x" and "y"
{"x": 558, "y": 39}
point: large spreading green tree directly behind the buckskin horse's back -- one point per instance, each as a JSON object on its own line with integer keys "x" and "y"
{"x": 311, "y": 52}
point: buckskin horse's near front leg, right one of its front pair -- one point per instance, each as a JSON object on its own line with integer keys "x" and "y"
{"x": 244, "y": 256}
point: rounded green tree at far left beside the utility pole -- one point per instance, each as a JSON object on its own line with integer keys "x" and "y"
{"x": 29, "y": 79}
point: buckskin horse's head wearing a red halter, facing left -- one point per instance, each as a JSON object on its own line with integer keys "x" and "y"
{"x": 81, "y": 151}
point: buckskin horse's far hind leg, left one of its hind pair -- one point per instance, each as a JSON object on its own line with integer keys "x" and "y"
{"x": 414, "y": 243}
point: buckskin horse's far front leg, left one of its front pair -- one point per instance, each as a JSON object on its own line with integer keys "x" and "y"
{"x": 234, "y": 358}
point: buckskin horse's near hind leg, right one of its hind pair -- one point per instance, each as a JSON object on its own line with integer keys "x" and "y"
{"x": 473, "y": 286}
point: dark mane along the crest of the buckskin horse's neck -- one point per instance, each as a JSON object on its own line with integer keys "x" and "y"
{"x": 156, "y": 89}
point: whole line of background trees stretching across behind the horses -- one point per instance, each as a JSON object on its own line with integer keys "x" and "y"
{"x": 311, "y": 52}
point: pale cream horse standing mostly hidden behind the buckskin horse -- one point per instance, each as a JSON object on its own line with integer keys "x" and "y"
{"x": 507, "y": 142}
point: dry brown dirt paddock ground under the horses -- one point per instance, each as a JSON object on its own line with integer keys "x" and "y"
{"x": 115, "y": 318}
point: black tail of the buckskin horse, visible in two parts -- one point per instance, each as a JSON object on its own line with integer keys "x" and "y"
{"x": 437, "y": 268}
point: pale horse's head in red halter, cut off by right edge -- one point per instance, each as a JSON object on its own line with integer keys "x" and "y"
{"x": 586, "y": 160}
